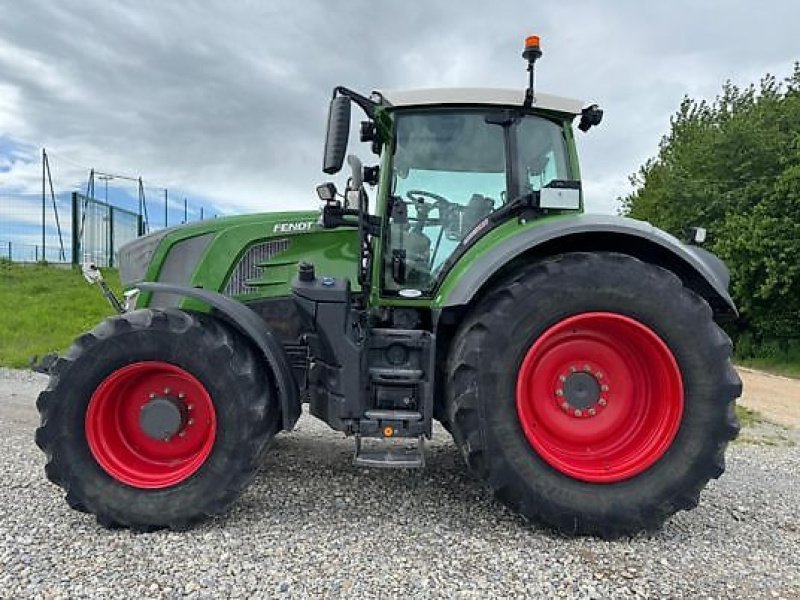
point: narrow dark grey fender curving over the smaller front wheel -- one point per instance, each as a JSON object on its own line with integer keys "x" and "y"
{"x": 256, "y": 330}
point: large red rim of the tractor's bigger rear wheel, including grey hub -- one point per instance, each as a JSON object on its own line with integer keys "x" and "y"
{"x": 626, "y": 392}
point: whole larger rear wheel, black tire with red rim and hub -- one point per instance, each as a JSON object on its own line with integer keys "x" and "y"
{"x": 593, "y": 392}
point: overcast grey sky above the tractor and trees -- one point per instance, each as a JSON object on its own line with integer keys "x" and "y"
{"x": 227, "y": 100}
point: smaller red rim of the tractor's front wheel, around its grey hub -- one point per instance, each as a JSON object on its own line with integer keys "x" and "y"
{"x": 122, "y": 447}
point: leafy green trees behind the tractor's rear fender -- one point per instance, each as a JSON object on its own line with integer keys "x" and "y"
{"x": 733, "y": 166}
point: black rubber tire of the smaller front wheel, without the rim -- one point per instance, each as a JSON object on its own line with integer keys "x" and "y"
{"x": 221, "y": 359}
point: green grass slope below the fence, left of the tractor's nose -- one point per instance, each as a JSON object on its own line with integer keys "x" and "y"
{"x": 43, "y": 308}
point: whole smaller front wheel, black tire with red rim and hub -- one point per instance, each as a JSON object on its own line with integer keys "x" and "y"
{"x": 156, "y": 419}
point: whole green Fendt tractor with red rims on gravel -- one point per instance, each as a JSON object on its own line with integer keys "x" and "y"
{"x": 575, "y": 359}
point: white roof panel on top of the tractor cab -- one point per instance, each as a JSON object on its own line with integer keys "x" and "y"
{"x": 498, "y": 96}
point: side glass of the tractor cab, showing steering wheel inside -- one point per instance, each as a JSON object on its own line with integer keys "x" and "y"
{"x": 451, "y": 169}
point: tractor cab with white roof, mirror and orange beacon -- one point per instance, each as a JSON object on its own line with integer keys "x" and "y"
{"x": 454, "y": 163}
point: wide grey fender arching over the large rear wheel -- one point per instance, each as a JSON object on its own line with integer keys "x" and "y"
{"x": 587, "y": 233}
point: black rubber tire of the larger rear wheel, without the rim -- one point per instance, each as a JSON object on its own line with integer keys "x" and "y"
{"x": 488, "y": 351}
